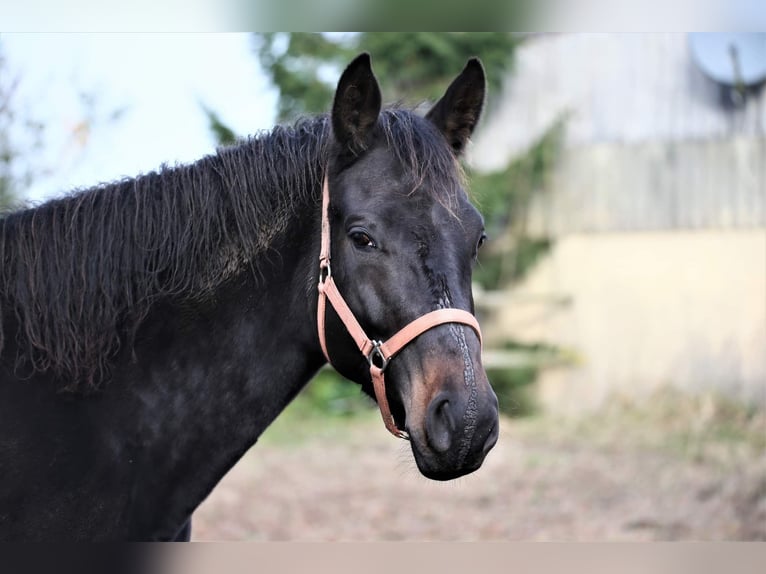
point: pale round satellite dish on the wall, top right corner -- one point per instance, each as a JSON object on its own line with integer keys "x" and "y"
{"x": 737, "y": 60}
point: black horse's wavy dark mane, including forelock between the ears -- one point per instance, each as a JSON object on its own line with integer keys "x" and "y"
{"x": 81, "y": 273}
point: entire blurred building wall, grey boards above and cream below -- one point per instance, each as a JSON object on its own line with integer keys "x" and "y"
{"x": 658, "y": 213}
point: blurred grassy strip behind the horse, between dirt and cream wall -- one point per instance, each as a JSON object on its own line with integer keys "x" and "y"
{"x": 703, "y": 427}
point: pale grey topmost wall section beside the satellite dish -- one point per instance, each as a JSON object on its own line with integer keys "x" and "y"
{"x": 618, "y": 88}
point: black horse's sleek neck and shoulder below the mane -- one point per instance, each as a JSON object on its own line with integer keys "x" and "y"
{"x": 136, "y": 459}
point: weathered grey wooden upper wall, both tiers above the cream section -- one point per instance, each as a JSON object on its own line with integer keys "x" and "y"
{"x": 651, "y": 143}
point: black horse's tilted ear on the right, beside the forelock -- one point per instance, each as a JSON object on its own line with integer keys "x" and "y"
{"x": 458, "y": 112}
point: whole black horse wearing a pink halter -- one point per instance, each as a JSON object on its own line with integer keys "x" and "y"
{"x": 153, "y": 327}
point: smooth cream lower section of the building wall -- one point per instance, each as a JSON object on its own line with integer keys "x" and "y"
{"x": 683, "y": 308}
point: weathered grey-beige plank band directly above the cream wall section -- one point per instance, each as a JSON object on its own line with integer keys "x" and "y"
{"x": 656, "y": 185}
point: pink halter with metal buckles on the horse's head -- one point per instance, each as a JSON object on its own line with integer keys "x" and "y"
{"x": 377, "y": 353}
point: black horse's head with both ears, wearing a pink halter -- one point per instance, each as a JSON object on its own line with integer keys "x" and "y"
{"x": 404, "y": 237}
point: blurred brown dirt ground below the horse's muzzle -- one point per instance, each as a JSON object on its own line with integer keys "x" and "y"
{"x": 541, "y": 482}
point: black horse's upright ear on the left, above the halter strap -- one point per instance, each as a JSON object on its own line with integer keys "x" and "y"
{"x": 357, "y": 104}
